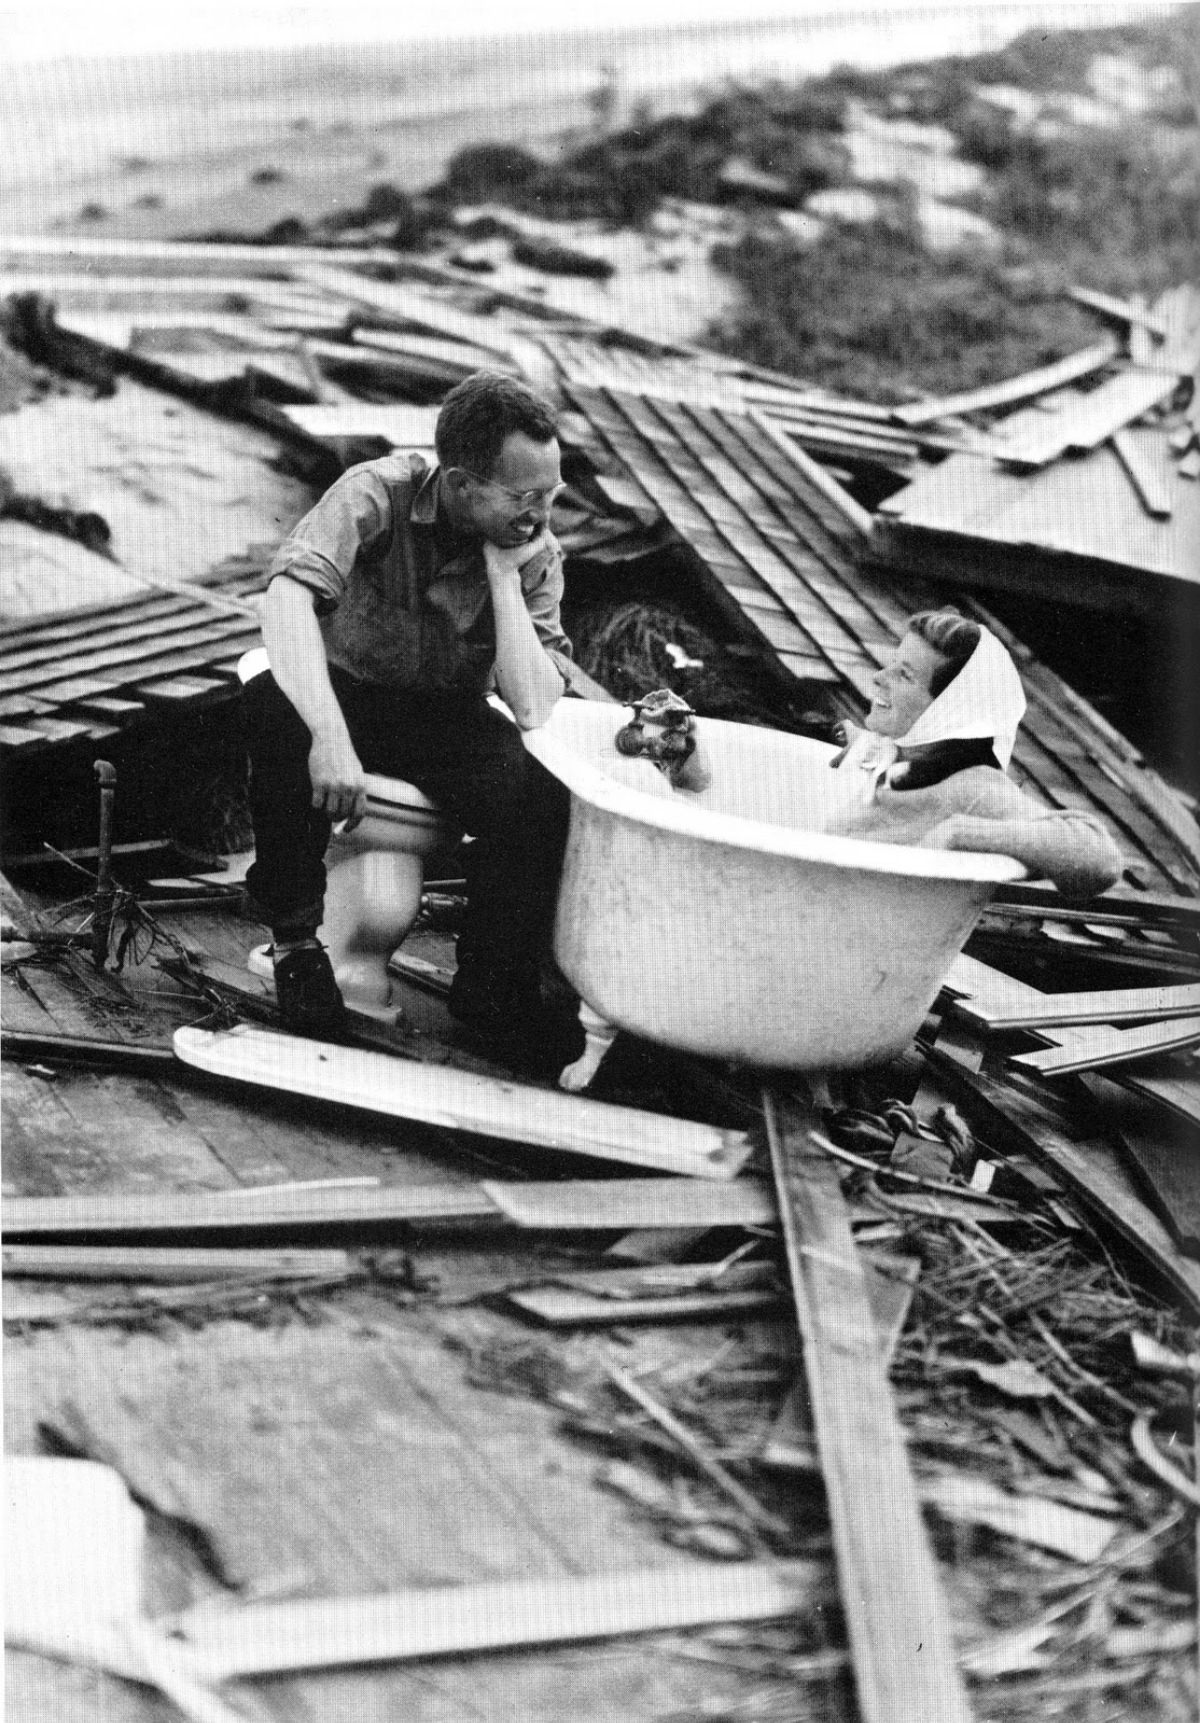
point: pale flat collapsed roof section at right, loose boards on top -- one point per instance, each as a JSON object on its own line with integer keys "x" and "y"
{"x": 1094, "y": 485}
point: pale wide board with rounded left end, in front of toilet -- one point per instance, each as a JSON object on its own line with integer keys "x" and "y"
{"x": 456, "y": 1100}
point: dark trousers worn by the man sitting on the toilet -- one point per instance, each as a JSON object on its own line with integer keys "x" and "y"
{"x": 472, "y": 762}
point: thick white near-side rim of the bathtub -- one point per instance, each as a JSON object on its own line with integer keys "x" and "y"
{"x": 741, "y": 833}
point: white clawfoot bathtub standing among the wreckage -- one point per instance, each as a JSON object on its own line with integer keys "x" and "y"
{"x": 723, "y": 923}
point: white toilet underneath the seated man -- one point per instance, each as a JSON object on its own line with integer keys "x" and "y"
{"x": 373, "y": 881}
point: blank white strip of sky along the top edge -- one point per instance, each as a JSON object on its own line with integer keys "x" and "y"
{"x": 35, "y": 30}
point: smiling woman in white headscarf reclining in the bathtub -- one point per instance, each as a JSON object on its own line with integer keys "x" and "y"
{"x": 930, "y": 766}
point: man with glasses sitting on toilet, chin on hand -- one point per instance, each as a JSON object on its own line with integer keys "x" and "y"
{"x": 394, "y": 607}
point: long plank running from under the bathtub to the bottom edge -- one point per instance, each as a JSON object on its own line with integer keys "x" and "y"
{"x": 896, "y": 1615}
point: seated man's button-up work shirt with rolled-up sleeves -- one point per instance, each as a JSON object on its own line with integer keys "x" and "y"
{"x": 401, "y": 599}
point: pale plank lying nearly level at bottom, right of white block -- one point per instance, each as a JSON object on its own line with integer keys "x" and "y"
{"x": 451, "y": 1620}
